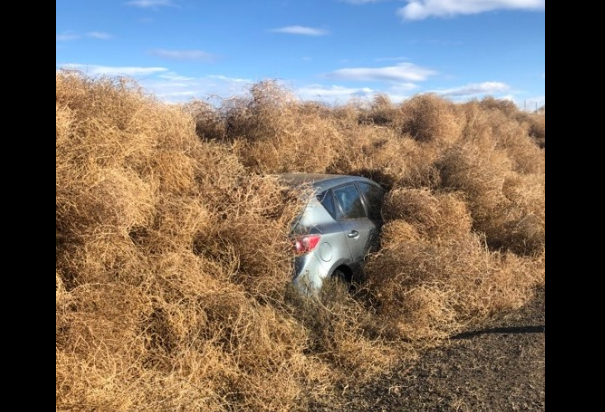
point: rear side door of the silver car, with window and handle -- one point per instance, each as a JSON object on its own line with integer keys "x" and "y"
{"x": 359, "y": 230}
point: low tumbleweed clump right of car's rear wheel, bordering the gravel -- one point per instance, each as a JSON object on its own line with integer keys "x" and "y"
{"x": 427, "y": 291}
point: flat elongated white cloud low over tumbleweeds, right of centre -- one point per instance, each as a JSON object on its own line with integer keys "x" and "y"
{"x": 403, "y": 72}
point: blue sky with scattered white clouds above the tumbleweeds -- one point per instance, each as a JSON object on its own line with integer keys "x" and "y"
{"x": 321, "y": 50}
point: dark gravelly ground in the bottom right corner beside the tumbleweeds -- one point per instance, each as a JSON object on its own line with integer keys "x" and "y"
{"x": 498, "y": 367}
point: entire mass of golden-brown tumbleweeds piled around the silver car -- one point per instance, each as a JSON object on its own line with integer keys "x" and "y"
{"x": 172, "y": 253}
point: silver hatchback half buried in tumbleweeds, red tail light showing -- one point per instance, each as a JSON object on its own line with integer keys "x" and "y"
{"x": 337, "y": 229}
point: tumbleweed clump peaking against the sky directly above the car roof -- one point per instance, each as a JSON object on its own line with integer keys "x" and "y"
{"x": 272, "y": 132}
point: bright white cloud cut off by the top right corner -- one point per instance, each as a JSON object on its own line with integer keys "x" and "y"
{"x": 422, "y": 9}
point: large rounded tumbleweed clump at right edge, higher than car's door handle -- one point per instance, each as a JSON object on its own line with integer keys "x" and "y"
{"x": 507, "y": 207}
